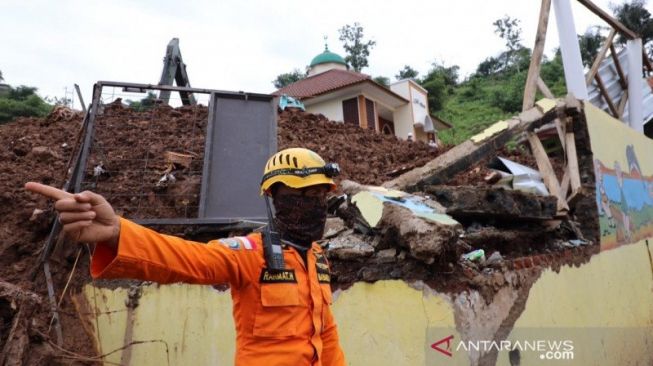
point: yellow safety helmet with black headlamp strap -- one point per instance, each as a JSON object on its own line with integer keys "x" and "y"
{"x": 298, "y": 168}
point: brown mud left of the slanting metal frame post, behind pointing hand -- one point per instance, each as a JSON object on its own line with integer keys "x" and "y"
{"x": 38, "y": 150}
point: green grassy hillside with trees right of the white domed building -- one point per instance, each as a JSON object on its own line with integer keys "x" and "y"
{"x": 494, "y": 92}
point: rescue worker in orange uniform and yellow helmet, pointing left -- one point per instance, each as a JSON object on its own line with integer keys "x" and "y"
{"x": 282, "y": 318}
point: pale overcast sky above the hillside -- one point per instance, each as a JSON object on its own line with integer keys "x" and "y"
{"x": 244, "y": 45}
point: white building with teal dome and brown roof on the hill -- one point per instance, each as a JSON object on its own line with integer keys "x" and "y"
{"x": 346, "y": 96}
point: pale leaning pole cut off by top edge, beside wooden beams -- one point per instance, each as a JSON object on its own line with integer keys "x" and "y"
{"x": 571, "y": 60}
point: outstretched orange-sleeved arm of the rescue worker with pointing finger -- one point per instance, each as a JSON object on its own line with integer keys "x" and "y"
{"x": 127, "y": 250}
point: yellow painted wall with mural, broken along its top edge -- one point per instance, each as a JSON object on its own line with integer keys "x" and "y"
{"x": 597, "y": 313}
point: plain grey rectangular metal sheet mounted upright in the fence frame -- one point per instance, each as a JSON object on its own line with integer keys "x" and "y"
{"x": 243, "y": 135}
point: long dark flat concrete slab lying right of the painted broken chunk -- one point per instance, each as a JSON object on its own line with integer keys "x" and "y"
{"x": 470, "y": 202}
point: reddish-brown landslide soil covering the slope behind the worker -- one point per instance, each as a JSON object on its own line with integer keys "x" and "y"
{"x": 129, "y": 147}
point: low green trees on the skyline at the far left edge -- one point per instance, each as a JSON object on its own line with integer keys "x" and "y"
{"x": 22, "y": 101}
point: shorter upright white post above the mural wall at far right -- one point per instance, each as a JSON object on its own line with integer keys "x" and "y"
{"x": 635, "y": 96}
